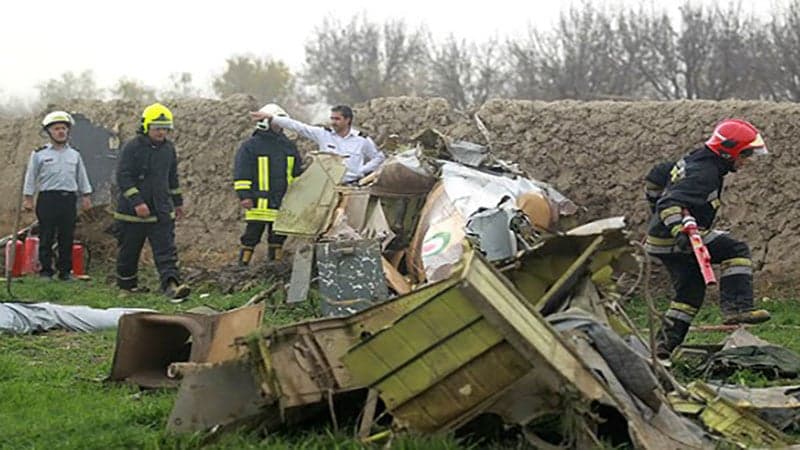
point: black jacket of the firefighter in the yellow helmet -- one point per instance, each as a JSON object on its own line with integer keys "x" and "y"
{"x": 148, "y": 173}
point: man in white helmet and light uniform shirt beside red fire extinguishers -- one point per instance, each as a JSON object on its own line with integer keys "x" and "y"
{"x": 56, "y": 171}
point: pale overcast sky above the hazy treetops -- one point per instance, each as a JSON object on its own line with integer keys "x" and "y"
{"x": 148, "y": 41}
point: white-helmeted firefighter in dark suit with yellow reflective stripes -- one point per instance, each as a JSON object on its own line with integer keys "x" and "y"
{"x": 266, "y": 164}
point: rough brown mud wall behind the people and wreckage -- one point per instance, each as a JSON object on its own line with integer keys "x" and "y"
{"x": 596, "y": 153}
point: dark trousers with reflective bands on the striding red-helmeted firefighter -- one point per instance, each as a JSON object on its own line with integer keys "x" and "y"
{"x": 735, "y": 281}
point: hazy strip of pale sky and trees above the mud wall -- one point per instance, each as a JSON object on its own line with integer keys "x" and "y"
{"x": 307, "y": 52}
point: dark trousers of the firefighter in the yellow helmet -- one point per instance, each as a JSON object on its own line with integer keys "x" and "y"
{"x": 130, "y": 239}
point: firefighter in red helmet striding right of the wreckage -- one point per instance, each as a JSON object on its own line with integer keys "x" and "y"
{"x": 691, "y": 195}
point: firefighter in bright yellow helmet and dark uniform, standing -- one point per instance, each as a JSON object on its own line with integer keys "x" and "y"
{"x": 149, "y": 203}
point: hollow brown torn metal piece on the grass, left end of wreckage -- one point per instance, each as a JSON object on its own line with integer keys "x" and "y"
{"x": 147, "y": 343}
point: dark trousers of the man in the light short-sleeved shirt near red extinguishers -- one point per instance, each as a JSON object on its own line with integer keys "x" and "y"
{"x": 56, "y": 213}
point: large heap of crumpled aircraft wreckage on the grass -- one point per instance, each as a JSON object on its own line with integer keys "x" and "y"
{"x": 452, "y": 287}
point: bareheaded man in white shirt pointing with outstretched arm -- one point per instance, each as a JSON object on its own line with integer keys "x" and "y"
{"x": 363, "y": 157}
